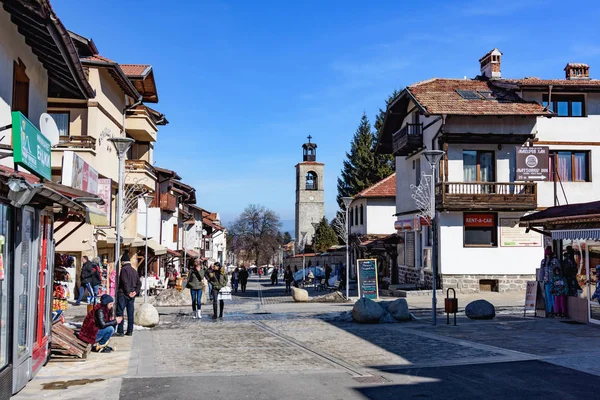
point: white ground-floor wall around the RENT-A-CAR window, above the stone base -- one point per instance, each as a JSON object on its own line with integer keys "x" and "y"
{"x": 460, "y": 260}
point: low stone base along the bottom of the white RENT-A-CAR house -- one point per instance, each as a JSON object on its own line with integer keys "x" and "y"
{"x": 472, "y": 283}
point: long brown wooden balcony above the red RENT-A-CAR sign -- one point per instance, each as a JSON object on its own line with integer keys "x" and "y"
{"x": 495, "y": 196}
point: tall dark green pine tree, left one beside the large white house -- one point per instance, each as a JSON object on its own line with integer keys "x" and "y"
{"x": 363, "y": 168}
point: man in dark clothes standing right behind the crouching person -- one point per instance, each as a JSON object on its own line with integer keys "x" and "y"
{"x": 129, "y": 288}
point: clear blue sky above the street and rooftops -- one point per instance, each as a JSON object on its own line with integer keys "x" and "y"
{"x": 244, "y": 82}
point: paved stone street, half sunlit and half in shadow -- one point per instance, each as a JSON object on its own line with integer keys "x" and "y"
{"x": 269, "y": 348}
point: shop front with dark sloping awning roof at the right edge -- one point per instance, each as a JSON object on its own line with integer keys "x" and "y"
{"x": 573, "y": 231}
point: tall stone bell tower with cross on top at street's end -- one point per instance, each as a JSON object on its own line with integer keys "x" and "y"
{"x": 310, "y": 192}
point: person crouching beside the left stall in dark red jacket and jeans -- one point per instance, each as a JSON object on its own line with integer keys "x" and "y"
{"x": 99, "y": 325}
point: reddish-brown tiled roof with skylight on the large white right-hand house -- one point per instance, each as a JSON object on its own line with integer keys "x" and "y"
{"x": 440, "y": 96}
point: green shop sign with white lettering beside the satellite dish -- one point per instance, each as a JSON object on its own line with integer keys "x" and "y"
{"x": 31, "y": 149}
